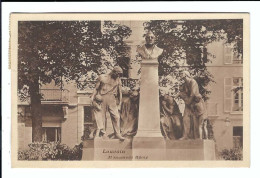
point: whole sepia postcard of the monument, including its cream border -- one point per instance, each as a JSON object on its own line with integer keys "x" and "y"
{"x": 130, "y": 88}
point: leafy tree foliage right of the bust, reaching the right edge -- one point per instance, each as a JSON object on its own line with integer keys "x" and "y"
{"x": 184, "y": 44}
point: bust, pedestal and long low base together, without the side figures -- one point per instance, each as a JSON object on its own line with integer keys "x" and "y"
{"x": 148, "y": 143}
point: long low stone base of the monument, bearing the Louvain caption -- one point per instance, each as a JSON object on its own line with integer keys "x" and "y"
{"x": 148, "y": 148}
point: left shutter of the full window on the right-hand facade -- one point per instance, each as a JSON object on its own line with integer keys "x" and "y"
{"x": 227, "y": 94}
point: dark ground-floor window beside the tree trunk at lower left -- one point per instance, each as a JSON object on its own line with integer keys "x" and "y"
{"x": 51, "y": 134}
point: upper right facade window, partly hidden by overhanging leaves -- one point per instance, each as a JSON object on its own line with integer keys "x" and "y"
{"x": 230, "y": 56}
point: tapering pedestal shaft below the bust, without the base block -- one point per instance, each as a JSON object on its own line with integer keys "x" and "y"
{"x": 149, "y": 109}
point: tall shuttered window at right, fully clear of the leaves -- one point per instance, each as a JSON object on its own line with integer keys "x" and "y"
{"x": 233, "y": 94}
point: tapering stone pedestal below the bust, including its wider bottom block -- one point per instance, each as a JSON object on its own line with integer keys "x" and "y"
{"x": 149, "y": 144}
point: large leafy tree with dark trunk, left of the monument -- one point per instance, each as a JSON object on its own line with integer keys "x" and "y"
{"x": 57, "y": 50}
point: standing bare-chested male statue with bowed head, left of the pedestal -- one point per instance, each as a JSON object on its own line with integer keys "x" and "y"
{"x": 109, "y": 86}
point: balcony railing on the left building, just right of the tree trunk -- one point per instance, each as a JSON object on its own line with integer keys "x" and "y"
{"x": 55, "y": 95}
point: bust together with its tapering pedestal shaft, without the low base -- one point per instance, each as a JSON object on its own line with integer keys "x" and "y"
{"x": 149, "y": 111}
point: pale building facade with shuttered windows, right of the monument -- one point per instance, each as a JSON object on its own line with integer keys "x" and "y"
{"x": 226, "y": 98}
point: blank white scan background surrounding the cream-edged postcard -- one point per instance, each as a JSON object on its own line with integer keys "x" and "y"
{"x": 251, "y": 7}
